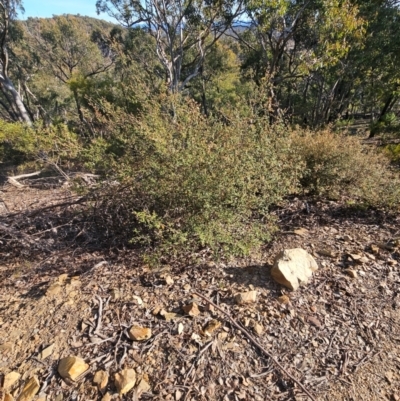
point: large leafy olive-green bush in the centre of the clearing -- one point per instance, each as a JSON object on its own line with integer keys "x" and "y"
{"x": 197, "y": 182}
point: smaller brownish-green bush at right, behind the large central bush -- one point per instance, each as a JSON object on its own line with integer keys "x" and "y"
{"x": 336, "y": 163}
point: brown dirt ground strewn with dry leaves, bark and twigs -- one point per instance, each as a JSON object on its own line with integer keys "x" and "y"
{"x": 339, "y": 336}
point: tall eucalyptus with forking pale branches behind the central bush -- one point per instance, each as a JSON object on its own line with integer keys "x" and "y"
{"x": 184, "y": 31}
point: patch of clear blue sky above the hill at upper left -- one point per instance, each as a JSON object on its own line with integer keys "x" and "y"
{"x": 48, "y": 8}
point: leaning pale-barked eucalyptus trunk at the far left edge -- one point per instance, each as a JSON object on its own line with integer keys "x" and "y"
{"x": 12, "y": 101}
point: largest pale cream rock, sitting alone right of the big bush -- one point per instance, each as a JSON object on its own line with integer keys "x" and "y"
{"x": 293, "y": 267}
